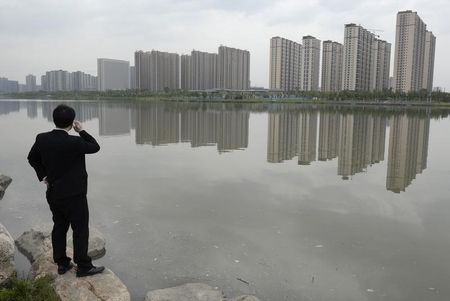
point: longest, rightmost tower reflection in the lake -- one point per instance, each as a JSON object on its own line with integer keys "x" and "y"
{"x": 408, "y": 151}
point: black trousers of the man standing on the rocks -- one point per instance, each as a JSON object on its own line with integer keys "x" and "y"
{"x": 72, "y": 211}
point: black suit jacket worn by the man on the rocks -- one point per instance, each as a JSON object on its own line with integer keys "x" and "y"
{"x": 61, "y": 158}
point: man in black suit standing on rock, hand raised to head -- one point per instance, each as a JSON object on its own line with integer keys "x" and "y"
{"x": 59, "y": 160}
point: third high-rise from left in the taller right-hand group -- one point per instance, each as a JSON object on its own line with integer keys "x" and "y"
{"x": 332, "y": 57}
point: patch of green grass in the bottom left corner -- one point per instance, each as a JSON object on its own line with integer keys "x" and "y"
{"x": 29, "y": 290}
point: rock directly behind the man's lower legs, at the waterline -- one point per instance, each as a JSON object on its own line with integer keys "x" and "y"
{"x": 37, "y": 241}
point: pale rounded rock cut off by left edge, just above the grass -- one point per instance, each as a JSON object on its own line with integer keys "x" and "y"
{"x": 7, "y": 266}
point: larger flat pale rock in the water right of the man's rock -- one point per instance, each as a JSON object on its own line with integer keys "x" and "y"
{"x": 186, "y": 292}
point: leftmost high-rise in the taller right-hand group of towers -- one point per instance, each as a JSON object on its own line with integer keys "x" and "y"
{"x": 285, "y": 61}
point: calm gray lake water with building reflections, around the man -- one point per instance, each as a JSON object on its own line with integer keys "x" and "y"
{"x": 300, "y": 202}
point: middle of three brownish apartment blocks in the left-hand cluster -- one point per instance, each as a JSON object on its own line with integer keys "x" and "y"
{"x": 199, "y": 71}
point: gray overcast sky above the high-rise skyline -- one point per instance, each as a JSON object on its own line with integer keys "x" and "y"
{"x": 37, "y": 36}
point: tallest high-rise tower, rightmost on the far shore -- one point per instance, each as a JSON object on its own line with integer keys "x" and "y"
{"x": 410, "y": 50}
